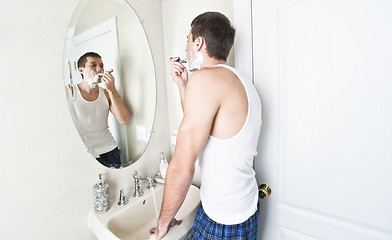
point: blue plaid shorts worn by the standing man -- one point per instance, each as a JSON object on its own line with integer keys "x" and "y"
{"x": 204, "y": 228}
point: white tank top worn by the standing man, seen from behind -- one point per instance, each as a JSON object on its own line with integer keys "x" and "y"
{"x": 229, "y": 192}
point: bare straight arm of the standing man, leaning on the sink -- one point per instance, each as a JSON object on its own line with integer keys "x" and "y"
{"x": 200, "y": 107}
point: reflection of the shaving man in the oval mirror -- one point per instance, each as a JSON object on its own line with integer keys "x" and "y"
{"x": 93, "y": 98}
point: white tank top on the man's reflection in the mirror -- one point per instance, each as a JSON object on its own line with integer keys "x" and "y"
{"x": 93, "y": 120}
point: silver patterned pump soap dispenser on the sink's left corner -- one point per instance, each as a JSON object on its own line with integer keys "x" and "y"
{"x": 101, "y": 196}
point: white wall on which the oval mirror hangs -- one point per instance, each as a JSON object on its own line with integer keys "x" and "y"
{"x": 46, "y": 173}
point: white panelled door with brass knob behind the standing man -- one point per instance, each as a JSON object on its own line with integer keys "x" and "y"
{"x": 323, "y": 69}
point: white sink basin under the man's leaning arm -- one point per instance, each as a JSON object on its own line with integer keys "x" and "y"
{"x": 135, "y": 220}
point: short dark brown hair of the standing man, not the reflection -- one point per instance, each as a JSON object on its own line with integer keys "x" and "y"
{"x": 217, "y": 31}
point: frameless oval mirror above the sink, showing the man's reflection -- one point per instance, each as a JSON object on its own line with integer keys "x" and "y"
{"x": 113, "y": 112}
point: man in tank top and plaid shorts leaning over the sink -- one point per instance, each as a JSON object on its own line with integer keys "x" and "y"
{"x": 221, "y": 126}
